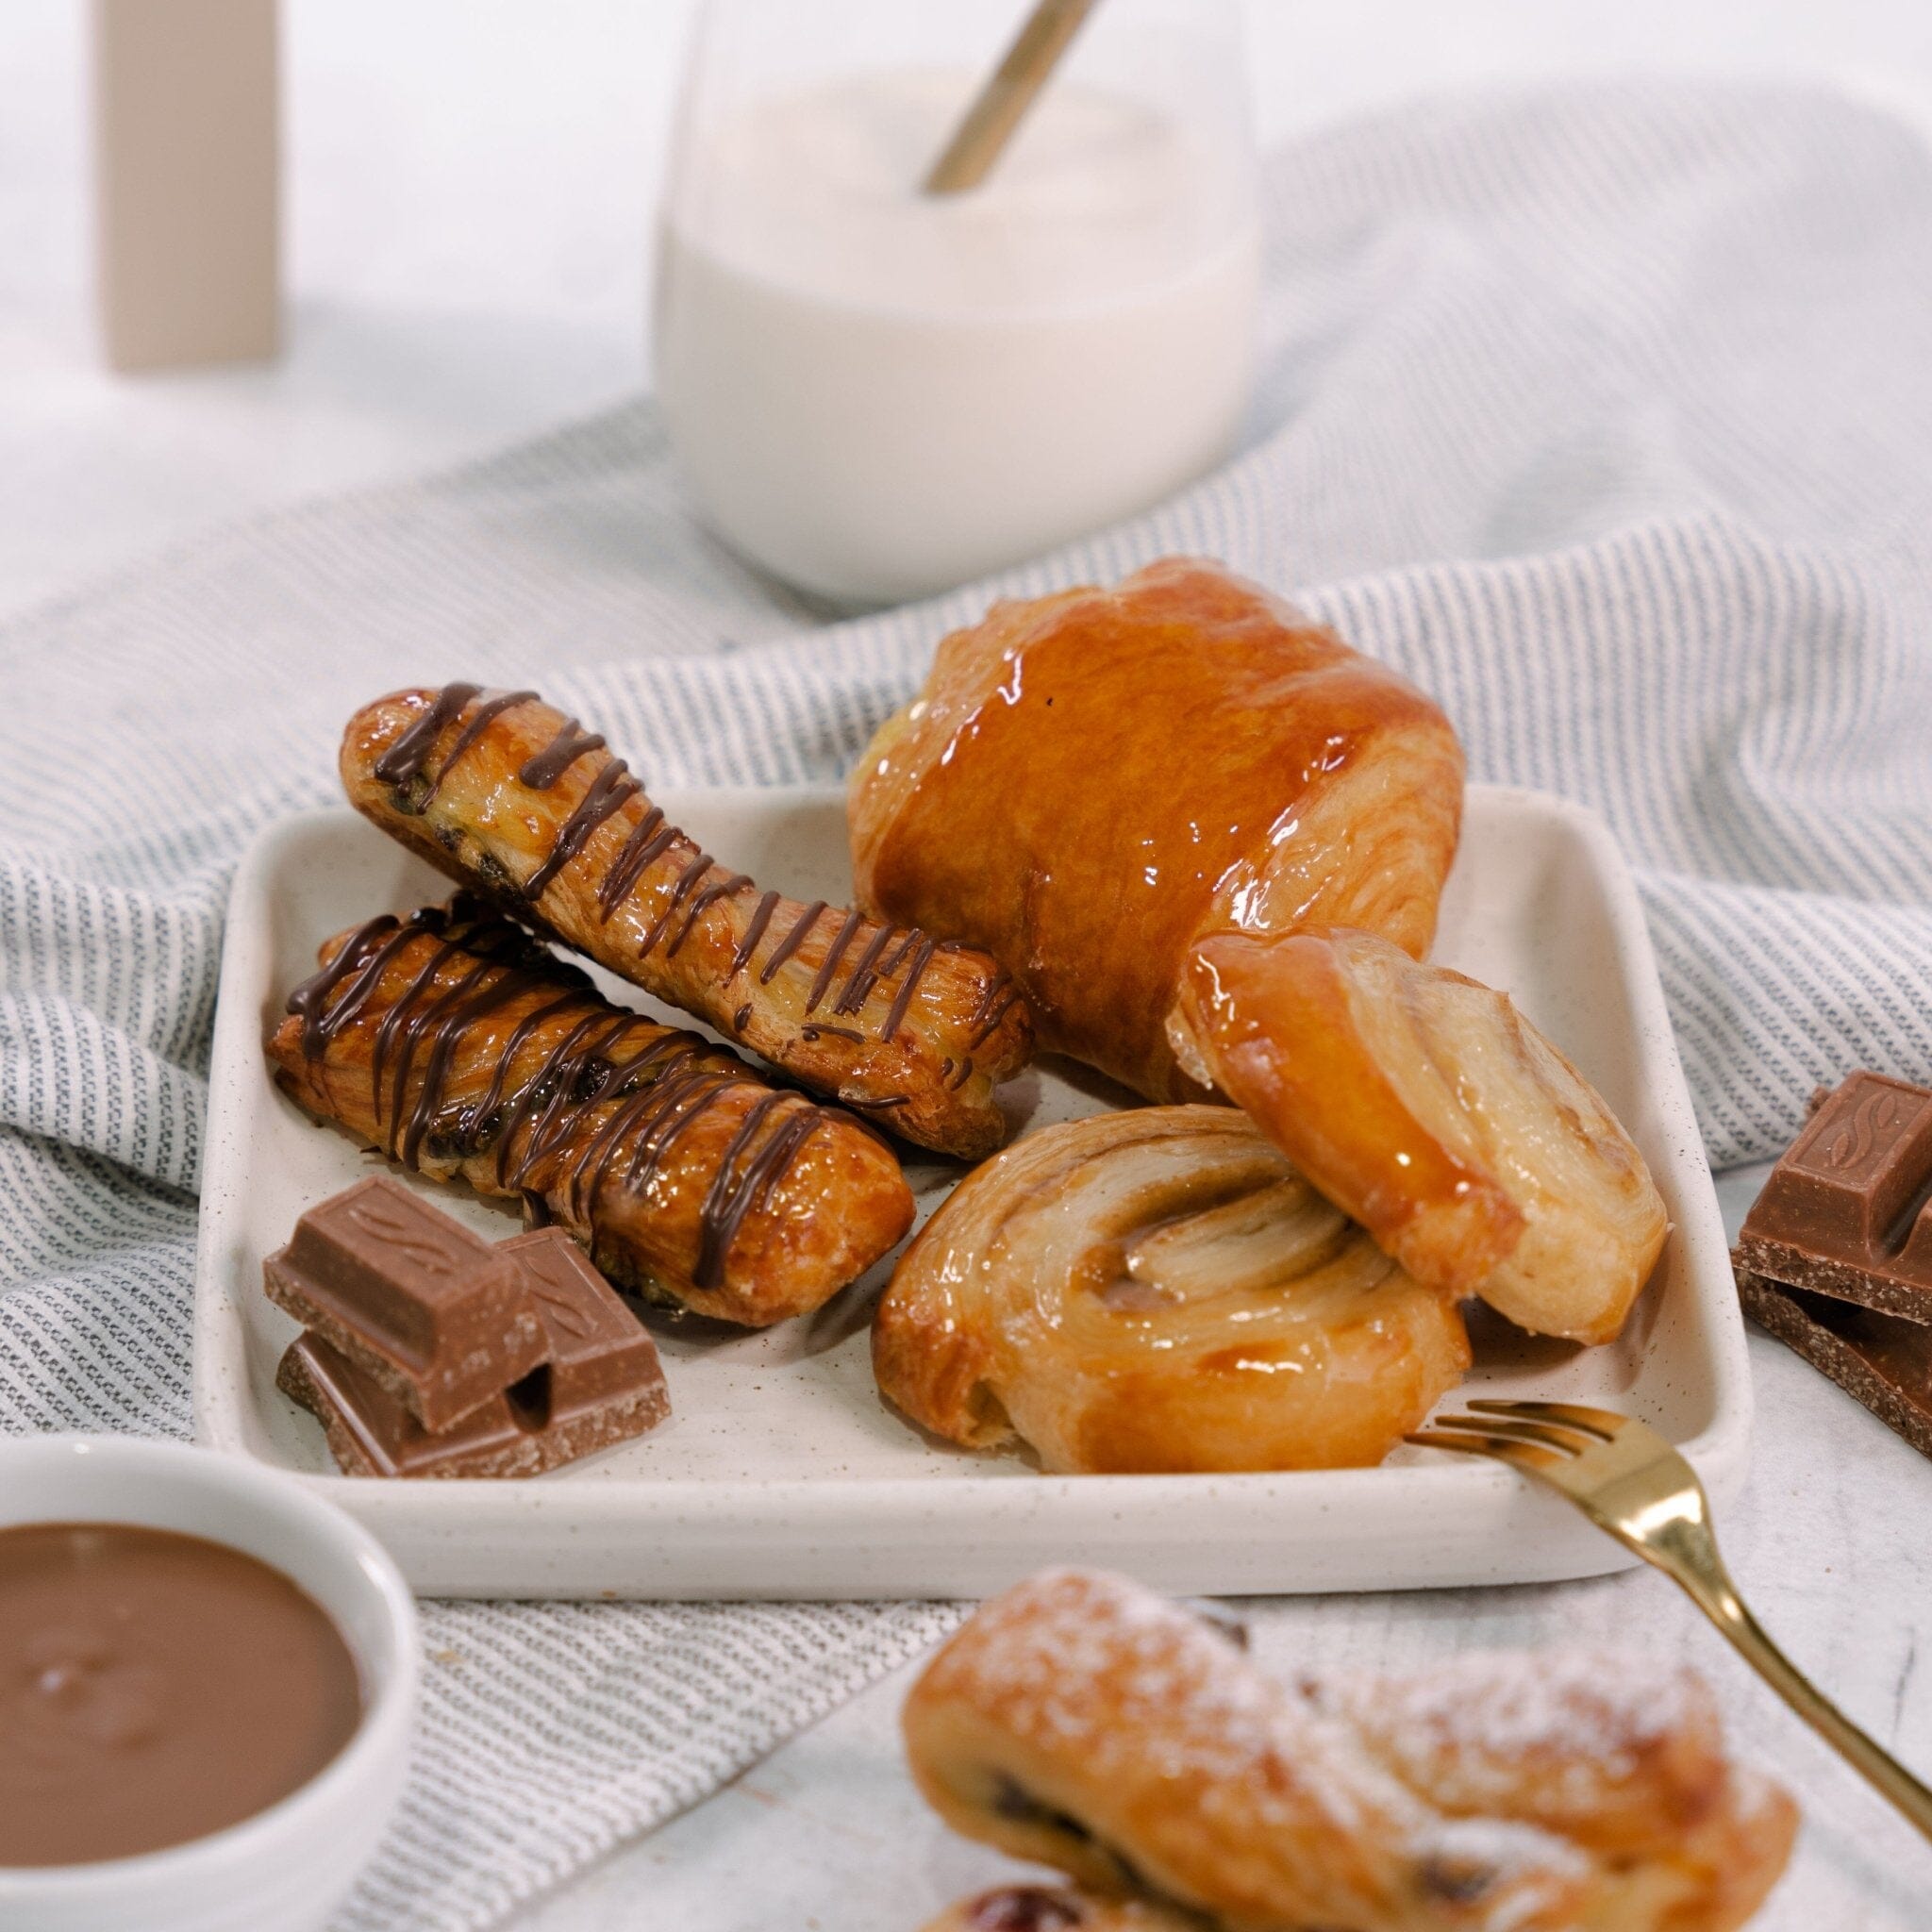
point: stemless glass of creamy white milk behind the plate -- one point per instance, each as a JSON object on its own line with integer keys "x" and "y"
{"x": 878, "y": 393}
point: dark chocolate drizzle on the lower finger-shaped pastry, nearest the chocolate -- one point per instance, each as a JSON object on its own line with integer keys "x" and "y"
{"x": 478, "y": 967}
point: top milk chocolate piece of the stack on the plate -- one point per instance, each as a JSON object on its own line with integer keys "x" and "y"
{"x": 436, "y": 1317}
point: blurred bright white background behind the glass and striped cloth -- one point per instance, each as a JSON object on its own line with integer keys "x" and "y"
{"x": 469, "y": 202}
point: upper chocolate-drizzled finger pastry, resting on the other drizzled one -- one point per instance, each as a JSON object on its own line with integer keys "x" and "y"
{"x": 530, "y": 810}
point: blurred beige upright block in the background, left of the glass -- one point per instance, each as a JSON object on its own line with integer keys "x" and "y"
{"x": 186, "y": 181}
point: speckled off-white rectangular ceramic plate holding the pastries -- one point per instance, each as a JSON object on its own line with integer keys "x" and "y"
{"x": 781, "y": 1473}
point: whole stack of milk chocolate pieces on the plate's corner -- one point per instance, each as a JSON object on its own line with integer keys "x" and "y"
{"x": 428, "y": 1351}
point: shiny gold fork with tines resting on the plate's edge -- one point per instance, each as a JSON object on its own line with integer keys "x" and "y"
{"x": 1635, "y": 1487}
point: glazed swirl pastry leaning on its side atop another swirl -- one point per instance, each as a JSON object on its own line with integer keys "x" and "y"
{"x": 1435, "y": 1114}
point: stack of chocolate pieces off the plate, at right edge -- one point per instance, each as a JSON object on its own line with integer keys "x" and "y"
{"x": 1836, "y": 1257}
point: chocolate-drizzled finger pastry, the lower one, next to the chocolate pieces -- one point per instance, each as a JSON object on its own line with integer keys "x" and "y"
{"x": 461, "y": 1048}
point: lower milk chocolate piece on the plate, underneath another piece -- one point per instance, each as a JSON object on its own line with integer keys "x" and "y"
{"x": 602, "y": 1386}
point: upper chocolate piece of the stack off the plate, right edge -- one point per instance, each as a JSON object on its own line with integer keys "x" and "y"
{"x": 1848, "y": 1210}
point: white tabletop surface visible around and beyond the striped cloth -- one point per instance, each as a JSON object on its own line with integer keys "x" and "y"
{"x": 470, "y": 188}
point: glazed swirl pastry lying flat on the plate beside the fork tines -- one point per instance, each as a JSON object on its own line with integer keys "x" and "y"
{"x": 1158, "y": 1290}
